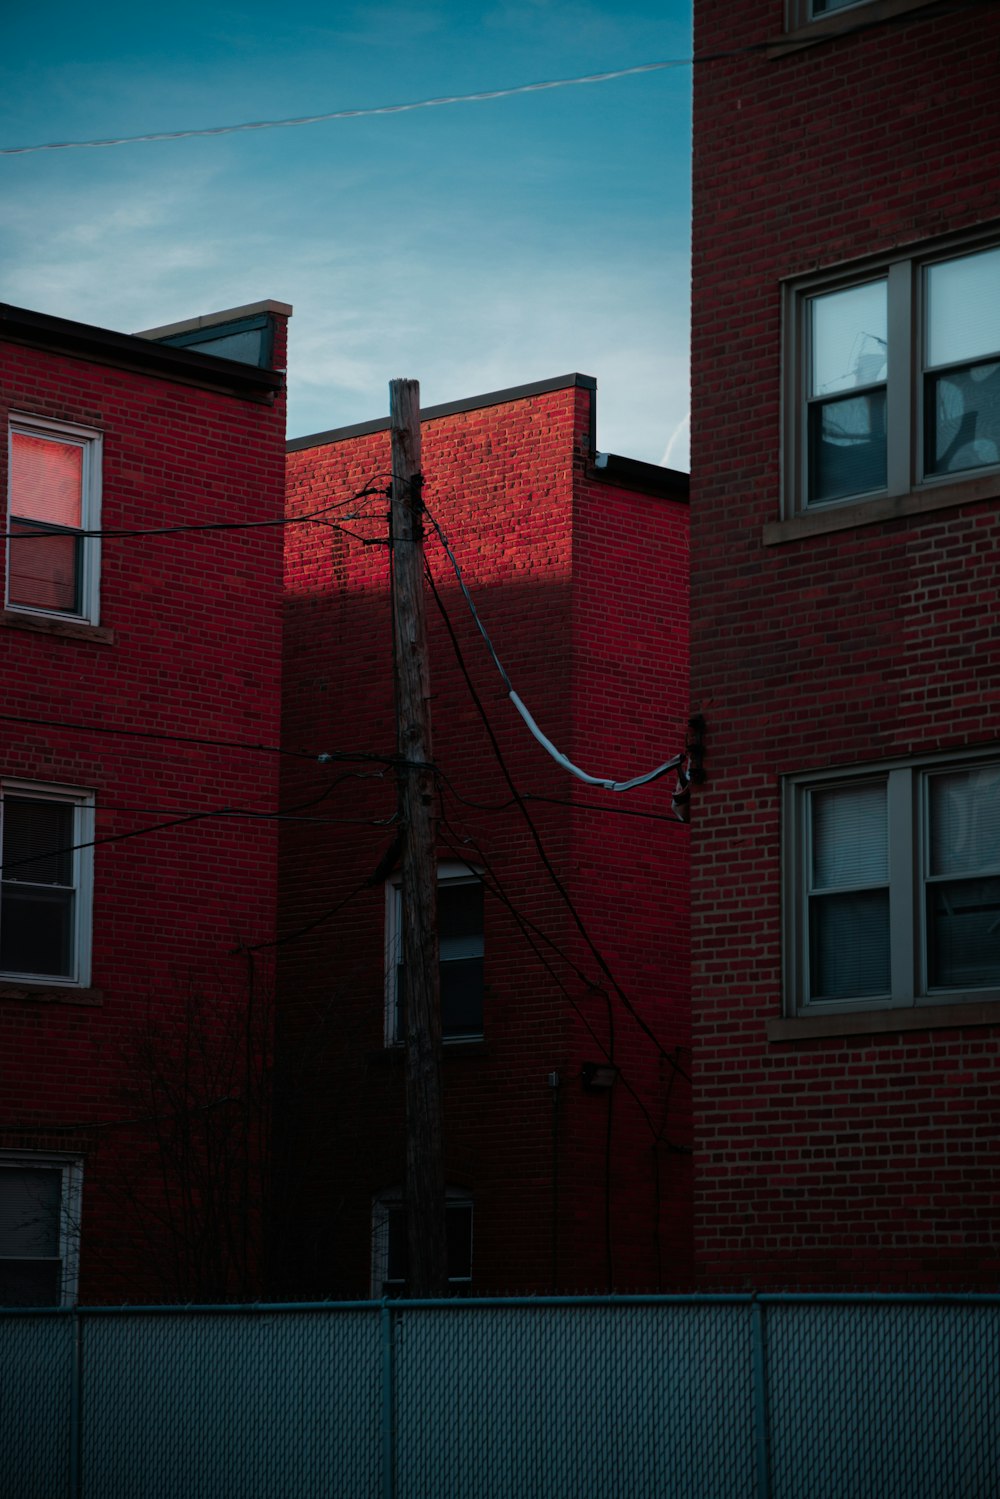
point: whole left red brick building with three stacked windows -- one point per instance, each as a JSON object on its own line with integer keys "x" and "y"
{"x": 142, "y": 672}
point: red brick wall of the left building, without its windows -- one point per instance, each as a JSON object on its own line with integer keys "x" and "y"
{"x": 190, "y": 647}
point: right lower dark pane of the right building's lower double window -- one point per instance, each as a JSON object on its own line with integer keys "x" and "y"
{"x": 963, "y": 927}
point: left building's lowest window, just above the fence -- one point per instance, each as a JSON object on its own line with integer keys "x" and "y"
{"x": 40, "y": 1230}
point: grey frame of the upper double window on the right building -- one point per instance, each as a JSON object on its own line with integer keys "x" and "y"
{"x": 906, "y": 476}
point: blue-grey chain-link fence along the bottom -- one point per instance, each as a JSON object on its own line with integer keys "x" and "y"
{"x": 599, "y": 1398}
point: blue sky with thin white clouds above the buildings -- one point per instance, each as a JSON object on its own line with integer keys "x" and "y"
{"x": 470, "y": 247}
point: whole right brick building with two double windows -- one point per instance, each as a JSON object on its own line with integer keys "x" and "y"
{"x": 846, "y": 519}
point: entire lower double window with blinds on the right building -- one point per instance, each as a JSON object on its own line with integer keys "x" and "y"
{"x": 893, "y": 887}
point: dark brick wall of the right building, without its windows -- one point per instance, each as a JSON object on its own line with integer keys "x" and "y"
{"x": 860, "y": 1159}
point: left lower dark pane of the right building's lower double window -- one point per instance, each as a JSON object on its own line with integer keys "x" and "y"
{"x": 849, "y": 945}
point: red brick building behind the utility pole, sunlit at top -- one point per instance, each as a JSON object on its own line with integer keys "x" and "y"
{"x": 563, "y": 908}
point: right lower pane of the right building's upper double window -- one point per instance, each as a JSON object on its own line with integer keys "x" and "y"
{"x": 963, "y": 419}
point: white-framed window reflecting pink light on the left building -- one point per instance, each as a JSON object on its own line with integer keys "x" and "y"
{"x": 53, "y": 500}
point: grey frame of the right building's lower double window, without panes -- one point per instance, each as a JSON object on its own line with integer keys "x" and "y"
{"x": 908, "y": 822}
